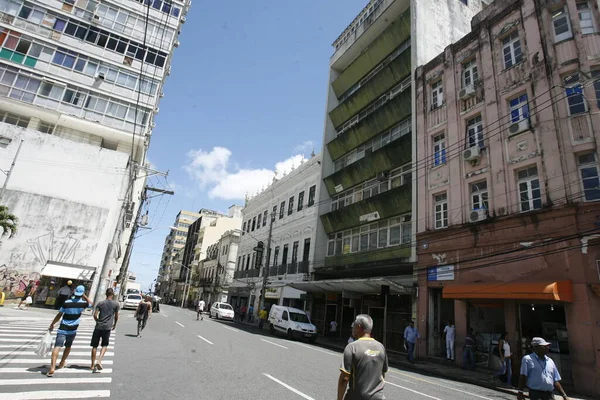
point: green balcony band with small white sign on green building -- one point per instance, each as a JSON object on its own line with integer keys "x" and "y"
{"x": 388, "y": 204}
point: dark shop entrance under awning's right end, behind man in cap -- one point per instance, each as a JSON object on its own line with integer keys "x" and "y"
{"x": 548, "y": 321}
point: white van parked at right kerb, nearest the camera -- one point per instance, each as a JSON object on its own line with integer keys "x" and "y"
{"x": 293, "y": 322}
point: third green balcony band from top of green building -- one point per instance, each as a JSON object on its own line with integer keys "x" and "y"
{"x": 385, "y": 117}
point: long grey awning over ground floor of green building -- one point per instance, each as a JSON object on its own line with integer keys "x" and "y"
{"x": 398, "y": 285}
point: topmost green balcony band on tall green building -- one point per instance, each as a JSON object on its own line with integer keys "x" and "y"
{"x": 391, "y": 38}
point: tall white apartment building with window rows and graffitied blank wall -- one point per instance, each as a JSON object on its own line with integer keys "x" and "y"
{"x": 78, "y": 93}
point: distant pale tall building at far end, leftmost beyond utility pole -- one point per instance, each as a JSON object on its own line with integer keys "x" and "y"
{"x": 174, "y": 243}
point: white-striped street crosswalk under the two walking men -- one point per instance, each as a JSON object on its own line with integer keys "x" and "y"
{"x": 23, "y": 373}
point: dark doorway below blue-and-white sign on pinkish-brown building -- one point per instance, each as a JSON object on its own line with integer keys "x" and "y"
{"x": 440, "y": 311}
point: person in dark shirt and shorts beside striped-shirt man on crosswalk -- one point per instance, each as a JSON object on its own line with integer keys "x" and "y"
{"x": 106, "y": 317}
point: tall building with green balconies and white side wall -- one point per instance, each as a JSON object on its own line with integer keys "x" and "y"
{"x": 366, "y": 197}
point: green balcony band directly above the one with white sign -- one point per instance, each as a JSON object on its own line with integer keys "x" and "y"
{"x": 390, "y": 156}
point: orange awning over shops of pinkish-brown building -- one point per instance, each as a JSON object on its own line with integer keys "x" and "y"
{"x": 557, "y": 291}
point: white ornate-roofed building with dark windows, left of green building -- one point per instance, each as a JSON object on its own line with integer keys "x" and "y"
{"x": 292, "y": 201}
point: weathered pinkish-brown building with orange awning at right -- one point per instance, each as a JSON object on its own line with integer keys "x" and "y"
{"x": 508, "y": 185}
